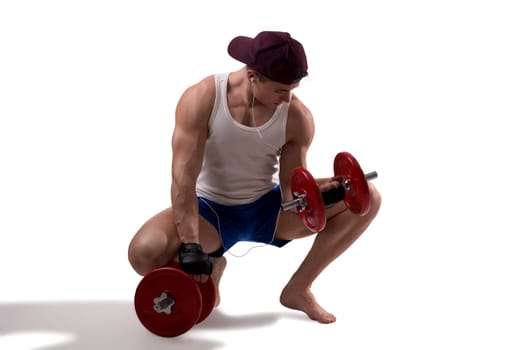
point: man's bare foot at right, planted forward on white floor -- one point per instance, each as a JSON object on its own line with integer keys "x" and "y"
{"x": 303, "y": 300}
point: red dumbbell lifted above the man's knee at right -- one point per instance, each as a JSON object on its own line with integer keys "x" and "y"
{"x": 308, "y": 199}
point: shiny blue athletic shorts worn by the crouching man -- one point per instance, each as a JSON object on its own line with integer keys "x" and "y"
{"x": 253, "y": 222}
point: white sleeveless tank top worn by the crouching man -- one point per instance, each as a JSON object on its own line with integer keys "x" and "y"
{"x": 240, "y": 163}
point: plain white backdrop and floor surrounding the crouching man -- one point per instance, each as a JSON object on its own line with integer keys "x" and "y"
{"x": 428, "y": 93}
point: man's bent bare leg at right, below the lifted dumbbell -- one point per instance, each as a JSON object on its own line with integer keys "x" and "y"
{"x": 342, "y": 230}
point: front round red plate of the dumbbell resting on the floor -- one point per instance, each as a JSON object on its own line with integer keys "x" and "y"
{"x": 168, "y": 321}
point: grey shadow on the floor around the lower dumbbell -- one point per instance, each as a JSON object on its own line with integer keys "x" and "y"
{"x": 88, "y": 325}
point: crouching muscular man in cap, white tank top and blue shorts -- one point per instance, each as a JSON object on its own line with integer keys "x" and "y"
{"x": 233, "y": 133}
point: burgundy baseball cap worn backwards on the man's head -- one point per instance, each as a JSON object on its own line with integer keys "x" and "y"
{"x": 276, "y": 55}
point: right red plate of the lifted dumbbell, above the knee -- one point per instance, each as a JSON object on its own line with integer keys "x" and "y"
{"x": 357, "y": 197}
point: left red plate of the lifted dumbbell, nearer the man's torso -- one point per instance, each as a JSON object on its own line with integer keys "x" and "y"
{"x": 314, "y": 214}
